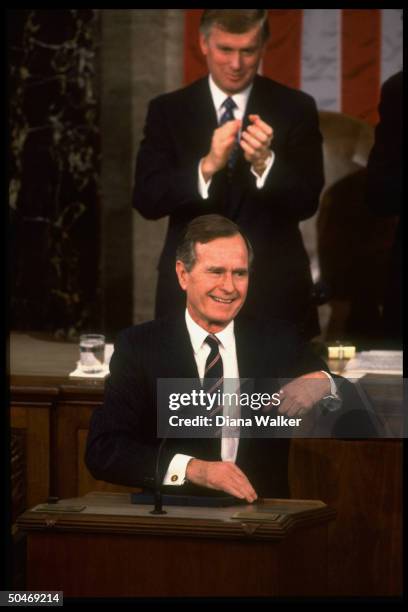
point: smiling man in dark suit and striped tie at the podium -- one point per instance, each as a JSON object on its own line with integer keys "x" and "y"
{"x": 213, "y": 263}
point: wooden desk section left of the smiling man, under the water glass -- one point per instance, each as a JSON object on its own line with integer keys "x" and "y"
{"x": 50, "y": 415}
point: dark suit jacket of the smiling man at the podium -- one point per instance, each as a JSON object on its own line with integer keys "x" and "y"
{"x": 122, "y": 443}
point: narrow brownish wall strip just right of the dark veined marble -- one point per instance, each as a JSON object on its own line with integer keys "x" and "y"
{"x": 116, "y": 167}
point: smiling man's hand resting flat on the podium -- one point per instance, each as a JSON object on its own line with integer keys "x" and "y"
{"x": 221, "y": 475}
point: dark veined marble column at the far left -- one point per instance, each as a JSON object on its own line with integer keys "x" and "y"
{"x": 54, "y": 170}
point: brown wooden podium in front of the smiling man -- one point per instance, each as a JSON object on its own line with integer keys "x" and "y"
{"x": 101, "y": 545}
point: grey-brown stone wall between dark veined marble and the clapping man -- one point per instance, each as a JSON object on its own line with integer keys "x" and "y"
{"x": 141, "y": 57}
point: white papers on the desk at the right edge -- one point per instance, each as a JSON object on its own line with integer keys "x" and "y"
{"x": 374, "y": 362}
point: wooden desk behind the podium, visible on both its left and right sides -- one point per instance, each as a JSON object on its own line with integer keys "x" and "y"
{"x": 361, "y": 479}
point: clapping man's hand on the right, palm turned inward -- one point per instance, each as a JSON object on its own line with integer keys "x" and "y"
{"x": 255, "y": 142}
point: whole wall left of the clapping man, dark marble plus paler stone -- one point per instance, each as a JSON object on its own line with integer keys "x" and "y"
{"x": 80, "y": 83}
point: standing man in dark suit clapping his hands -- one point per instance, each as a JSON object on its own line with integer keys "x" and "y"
{"x": 190, "y": 164}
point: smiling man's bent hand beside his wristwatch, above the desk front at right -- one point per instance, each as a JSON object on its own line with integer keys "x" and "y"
{"x": 300, "y": 395}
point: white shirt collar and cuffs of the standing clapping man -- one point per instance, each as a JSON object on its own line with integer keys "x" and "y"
{"x": 241, "y": 100}
